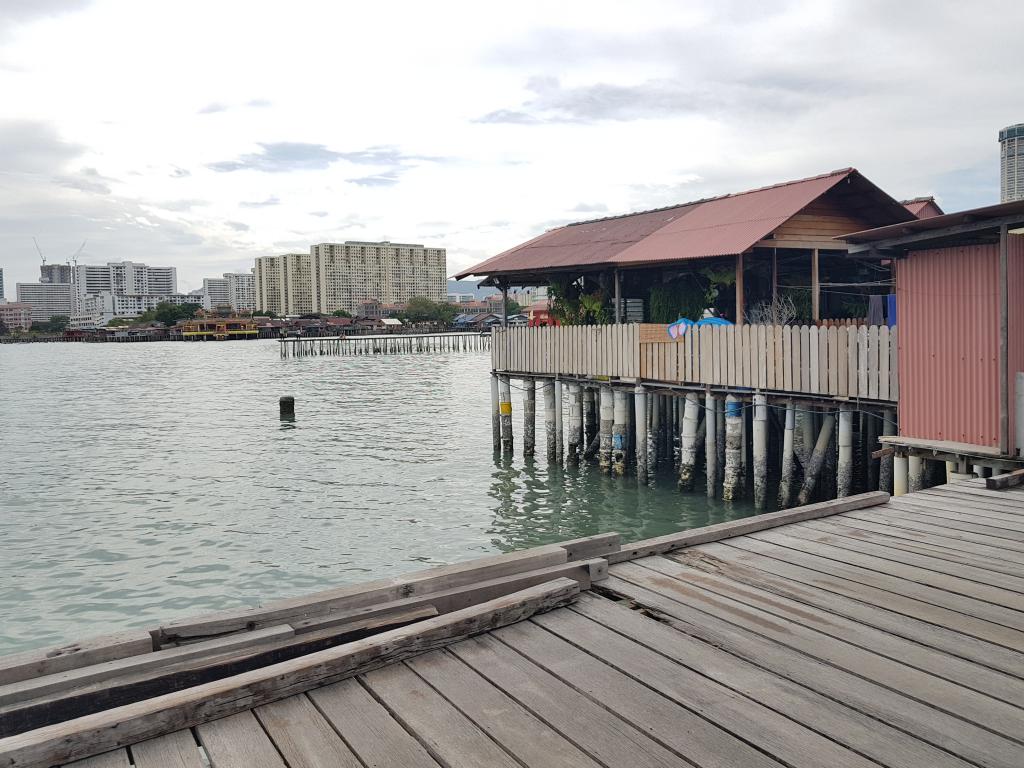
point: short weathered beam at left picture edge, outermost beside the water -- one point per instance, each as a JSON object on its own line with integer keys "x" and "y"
{"x": 52, "y": 661}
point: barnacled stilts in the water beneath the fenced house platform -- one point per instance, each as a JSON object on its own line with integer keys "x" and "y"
{"x": 744, "y": 441}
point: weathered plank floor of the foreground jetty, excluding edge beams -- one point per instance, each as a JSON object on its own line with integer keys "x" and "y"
{"x": 888, "y": 636}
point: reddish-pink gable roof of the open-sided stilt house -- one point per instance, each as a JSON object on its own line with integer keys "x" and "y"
{"x": 704, "y": 229}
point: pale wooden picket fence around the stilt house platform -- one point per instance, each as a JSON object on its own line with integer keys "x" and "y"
{"x": 846, "y": 362}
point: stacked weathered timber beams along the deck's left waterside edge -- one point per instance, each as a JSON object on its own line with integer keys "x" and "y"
{"x": 62, "y": 704}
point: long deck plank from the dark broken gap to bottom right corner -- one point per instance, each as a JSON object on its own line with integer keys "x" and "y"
{"x": 880, "y": 702}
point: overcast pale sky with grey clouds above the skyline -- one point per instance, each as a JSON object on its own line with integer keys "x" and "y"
{"x": 201, "y": 135}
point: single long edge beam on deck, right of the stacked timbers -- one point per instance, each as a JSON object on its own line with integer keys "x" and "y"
{"x": 722, "y": 531}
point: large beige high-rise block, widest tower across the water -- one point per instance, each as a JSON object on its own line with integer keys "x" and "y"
{"x": 347, "y": 274}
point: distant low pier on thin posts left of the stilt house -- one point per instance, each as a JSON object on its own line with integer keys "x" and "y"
{"x": 386, "y": 345}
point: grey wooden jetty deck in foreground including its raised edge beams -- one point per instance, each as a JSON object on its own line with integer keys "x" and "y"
{"x": 866, "y": 632}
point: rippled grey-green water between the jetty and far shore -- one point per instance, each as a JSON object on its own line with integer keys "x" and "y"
{"x": 140, "y": 483}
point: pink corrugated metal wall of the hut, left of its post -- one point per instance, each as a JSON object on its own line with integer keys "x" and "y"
{"x": 948, "y": 329}
